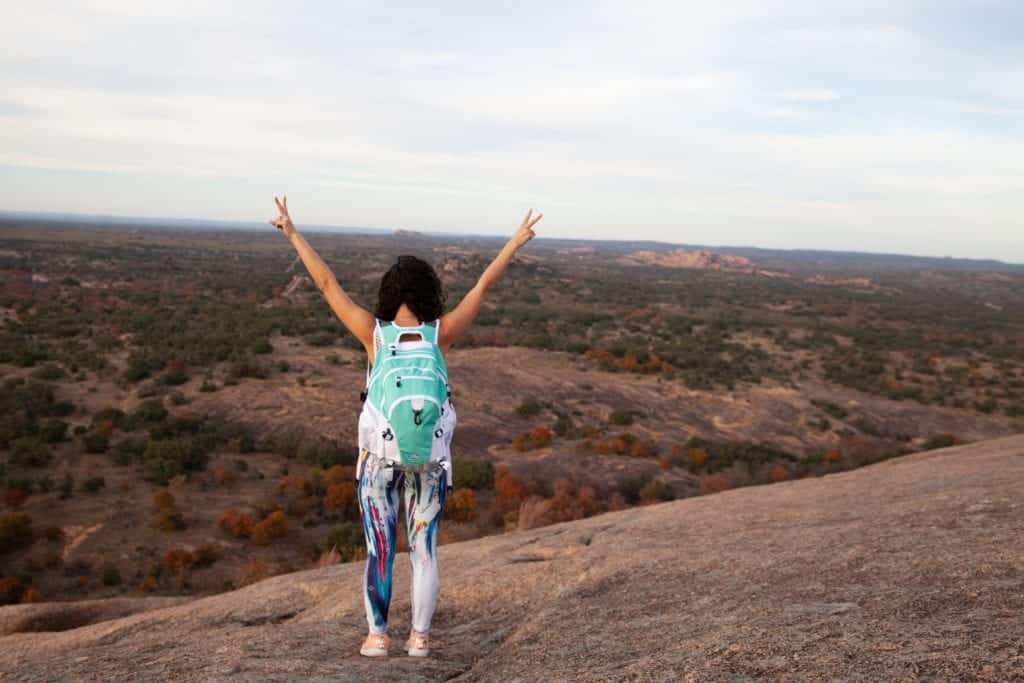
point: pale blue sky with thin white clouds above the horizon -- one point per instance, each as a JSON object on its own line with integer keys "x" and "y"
{"x": 894, "y": 127}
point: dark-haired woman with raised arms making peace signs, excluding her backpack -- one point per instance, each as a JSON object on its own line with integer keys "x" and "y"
{"x": 412, "y": 301}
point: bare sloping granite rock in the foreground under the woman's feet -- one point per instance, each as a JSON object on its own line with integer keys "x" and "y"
{"x": 909, "y": 570}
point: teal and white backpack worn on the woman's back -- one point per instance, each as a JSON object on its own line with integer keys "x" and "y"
{"x": 408, "y": 394}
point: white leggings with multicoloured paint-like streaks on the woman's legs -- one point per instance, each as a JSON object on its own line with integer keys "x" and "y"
{"x": 378, "y": 494}
